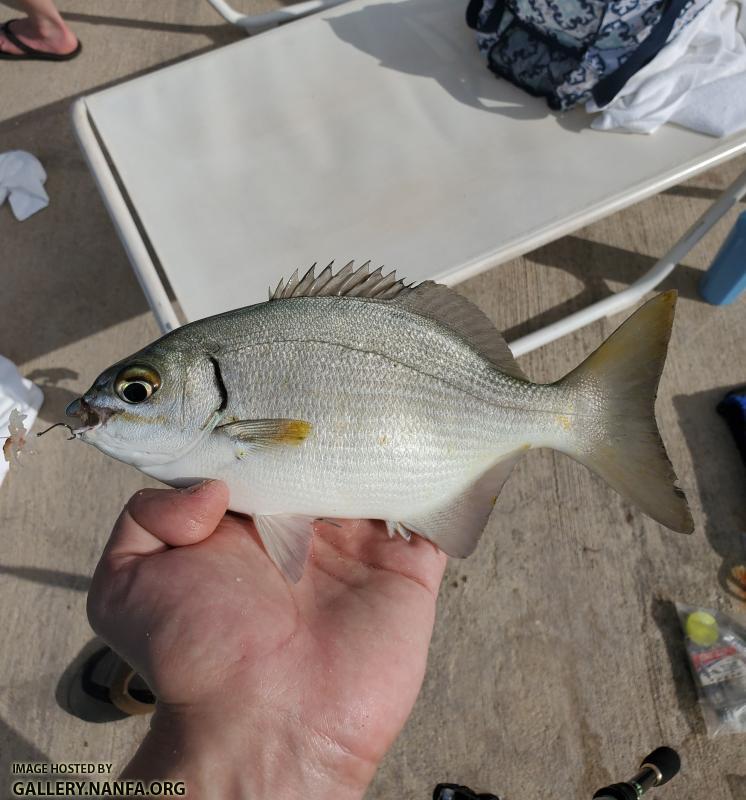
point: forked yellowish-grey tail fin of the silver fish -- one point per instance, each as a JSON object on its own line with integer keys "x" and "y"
{"x": 617, "y": 386}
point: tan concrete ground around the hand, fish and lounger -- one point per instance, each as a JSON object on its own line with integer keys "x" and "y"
{"x": 557, "y": 659}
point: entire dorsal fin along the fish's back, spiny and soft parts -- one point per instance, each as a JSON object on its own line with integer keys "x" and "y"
{"x": 428, "y": 299}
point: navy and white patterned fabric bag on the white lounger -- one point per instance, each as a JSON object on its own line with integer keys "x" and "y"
{"x": 570, "y": 51}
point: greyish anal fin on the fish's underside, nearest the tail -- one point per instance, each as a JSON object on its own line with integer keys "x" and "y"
{"x": 456, "y": 527}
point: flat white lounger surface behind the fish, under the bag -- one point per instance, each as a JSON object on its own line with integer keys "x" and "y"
{"x": 372, "y": 131}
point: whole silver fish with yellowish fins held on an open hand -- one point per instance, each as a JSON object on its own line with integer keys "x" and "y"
{"x": 355, "y": 395}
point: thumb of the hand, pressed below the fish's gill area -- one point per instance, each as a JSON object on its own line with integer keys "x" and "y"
{"x": 156, "y": 519}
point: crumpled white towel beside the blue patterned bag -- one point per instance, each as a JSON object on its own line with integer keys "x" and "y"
{"x": 698, "y": 80}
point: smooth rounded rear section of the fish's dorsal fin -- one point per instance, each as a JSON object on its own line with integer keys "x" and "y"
{"x": 440, "y": 303}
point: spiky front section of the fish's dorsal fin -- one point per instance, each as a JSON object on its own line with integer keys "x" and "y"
{"x": 348, "y": 282}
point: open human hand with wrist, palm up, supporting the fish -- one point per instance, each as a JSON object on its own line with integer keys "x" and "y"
{"x": 265, "y": 689}
